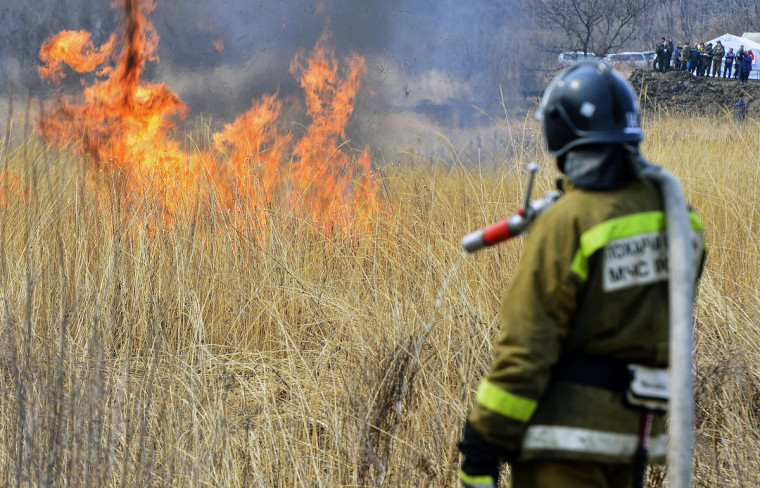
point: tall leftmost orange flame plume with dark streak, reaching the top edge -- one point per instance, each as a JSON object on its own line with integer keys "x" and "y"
{"x": 122, "y": 119}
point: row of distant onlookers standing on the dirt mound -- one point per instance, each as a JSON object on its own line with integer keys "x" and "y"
{"x": 704, "y": 59}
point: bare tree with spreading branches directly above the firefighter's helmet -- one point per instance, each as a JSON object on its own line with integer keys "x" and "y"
{"x": 598, "y": 26}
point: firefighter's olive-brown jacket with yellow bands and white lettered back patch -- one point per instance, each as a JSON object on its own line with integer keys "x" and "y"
{"x": 591, "y": 282}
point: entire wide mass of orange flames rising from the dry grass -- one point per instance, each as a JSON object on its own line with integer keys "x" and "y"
{"x": 126, "y": 123}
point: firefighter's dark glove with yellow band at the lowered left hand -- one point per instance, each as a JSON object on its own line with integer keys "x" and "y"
{"x": 480, "y": 467}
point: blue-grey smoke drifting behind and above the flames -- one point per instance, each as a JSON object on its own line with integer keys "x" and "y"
{"x": 437, "y": 64}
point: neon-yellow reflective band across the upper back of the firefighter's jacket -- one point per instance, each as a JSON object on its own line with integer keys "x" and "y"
{"x": 618, "y": 228}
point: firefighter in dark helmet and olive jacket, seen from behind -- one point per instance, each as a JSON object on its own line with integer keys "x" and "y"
{"x": 588, "y": 301}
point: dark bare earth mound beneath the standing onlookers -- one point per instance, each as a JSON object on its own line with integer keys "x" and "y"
{"x": 679, "y": 92}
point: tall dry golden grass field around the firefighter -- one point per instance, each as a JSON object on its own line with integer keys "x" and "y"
{"x": 206, "y": 352}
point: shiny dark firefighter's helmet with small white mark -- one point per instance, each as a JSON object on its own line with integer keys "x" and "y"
{"x": 589, "y": 103}
